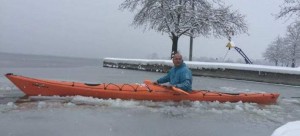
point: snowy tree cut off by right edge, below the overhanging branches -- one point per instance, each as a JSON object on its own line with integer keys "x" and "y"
{"x": 293, "y": 42}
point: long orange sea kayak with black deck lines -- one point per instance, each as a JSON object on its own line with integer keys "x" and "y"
{"x": 146, "y": 91}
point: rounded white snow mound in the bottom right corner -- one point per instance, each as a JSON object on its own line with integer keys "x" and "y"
{"x": 289, "y": 129}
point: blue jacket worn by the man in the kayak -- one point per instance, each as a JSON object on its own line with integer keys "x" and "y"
{"x": 180, "y": 77}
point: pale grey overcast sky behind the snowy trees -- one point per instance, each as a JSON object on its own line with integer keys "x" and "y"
{"x": 97, "y": 29}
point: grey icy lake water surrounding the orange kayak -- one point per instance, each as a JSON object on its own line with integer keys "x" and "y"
{"x": 77, "y": 116}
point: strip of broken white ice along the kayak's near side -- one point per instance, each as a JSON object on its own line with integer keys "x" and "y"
{"x": 195, "y": 106}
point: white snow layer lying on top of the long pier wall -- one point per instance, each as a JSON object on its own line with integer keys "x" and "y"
{"x": 210, "y": 65}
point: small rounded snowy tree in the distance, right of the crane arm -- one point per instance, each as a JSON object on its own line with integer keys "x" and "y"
{"x": 276, "y": 52}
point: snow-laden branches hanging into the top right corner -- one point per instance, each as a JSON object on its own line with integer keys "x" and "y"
{"x": 289, "y": 8}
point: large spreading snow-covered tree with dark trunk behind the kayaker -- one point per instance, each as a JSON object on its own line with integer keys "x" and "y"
{"x": 186, "y": 17}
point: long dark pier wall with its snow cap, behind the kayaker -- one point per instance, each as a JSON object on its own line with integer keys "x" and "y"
{"x": 259, "y": 73}
